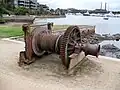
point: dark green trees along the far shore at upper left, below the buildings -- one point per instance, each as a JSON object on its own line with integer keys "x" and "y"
{"x": 7, "y": 7}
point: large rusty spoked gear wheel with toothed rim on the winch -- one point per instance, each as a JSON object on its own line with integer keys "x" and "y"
{"x": 69, "y": 40}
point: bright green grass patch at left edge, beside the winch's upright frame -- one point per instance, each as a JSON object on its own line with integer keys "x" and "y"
{"x": 9, "y": 31}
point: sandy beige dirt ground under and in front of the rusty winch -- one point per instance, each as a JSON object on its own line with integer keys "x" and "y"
{"x": 48, "y": 72}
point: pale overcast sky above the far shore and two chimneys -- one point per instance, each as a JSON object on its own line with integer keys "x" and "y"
{"x": 82, "y": 4}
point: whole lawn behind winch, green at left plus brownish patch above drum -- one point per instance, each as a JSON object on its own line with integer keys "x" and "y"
{"x": 13, "y": 31}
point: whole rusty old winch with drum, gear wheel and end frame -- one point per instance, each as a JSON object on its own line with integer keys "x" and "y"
{"x": 41, "y": 40}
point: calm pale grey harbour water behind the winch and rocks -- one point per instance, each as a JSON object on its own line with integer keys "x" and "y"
{"x": 111, "y": 26}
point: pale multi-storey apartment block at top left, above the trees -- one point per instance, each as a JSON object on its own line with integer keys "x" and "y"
{"x": 32, "y": 4}
